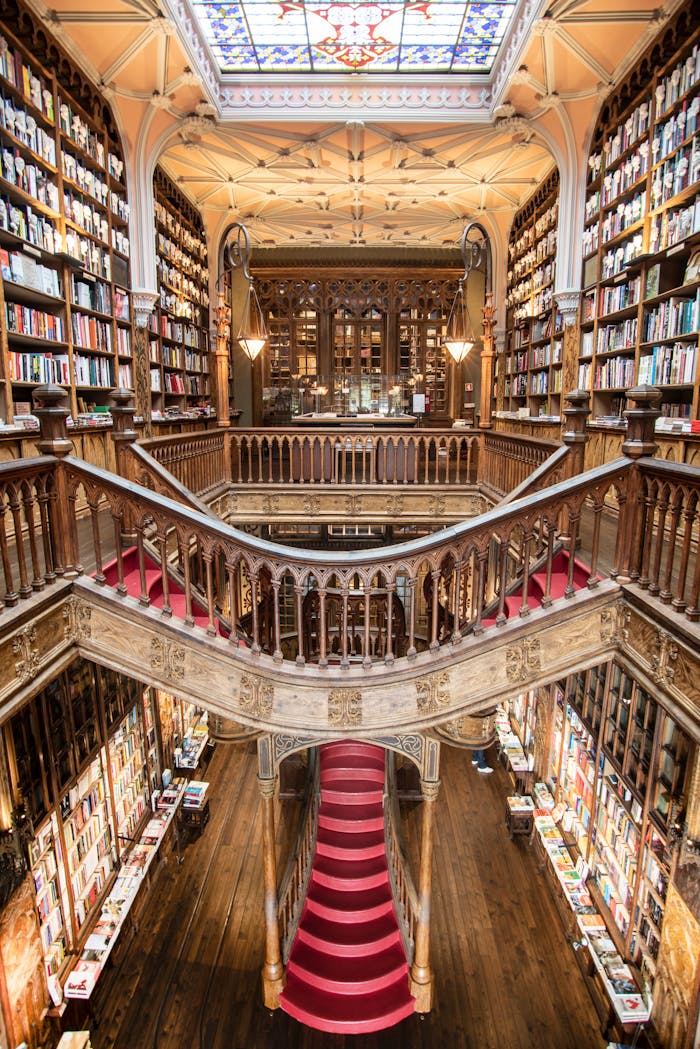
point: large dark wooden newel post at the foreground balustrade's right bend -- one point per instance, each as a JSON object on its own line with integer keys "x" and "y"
{"x": 642, "y": 416}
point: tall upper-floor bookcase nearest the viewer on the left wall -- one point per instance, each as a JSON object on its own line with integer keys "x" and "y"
{"x": 65, "y": 246}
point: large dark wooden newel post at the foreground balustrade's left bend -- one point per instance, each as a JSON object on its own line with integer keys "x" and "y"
{"x": 53, "y": 413}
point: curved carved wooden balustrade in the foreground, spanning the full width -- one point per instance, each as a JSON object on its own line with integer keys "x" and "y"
{"x": 474, "y": 567}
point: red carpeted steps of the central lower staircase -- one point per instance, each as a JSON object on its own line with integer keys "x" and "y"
{"x": 348, "y": 971}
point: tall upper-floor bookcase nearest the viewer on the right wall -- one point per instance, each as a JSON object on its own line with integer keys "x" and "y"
{"x": 642, "y": 268}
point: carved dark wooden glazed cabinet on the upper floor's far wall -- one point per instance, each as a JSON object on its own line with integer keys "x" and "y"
{"x": 368, "y": 341}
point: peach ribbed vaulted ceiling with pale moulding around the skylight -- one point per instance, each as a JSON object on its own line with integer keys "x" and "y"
{"x": 354, "y": 159}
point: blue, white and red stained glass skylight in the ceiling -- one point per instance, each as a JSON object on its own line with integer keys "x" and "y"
{"x": 317, "y": 36}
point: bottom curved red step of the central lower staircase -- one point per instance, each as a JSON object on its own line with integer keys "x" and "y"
{"x": 348, "y": 1014}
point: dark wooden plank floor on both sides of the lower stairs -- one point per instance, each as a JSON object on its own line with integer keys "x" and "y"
{"x": 505, "y": 977}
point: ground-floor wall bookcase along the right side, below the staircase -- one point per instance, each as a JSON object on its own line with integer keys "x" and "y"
{"x": 619, "y": 764}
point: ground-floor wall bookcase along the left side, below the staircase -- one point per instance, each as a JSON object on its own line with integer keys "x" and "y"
{"x": 90, "y": 730}
